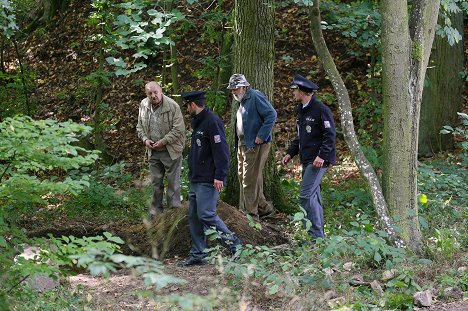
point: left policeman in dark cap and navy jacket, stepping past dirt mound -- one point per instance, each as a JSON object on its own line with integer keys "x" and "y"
{"x": 208, "y": 163}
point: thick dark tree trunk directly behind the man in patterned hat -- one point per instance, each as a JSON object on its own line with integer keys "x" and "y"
{"x": 254, "y": 57}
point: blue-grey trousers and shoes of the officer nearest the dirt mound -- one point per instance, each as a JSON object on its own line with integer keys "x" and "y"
{"x": 203, "y": 198}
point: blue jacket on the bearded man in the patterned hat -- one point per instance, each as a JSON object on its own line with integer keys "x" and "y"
{"x": 258, "y": 117}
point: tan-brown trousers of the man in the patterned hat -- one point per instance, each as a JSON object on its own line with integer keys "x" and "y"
{"x": 251, "y": 162}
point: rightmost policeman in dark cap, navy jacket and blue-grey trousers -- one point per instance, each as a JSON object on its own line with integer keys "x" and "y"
{"x": 315, "y": 144}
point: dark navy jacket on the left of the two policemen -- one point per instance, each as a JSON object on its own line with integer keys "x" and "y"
{"x": 208, "y": 157}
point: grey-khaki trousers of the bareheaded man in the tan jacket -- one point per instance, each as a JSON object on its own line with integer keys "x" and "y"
{"x": 160, "y": 165}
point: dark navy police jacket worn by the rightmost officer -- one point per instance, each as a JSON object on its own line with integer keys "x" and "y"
{"x": 316, "y": 133}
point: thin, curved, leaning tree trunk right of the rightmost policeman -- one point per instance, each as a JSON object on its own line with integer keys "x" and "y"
{"x": 347, "y": 124}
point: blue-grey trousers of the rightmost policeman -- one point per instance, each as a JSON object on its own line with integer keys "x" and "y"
{"x": 310, "y": 198}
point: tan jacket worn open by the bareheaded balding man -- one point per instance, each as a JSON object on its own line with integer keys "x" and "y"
{"x": 172, "y": 126}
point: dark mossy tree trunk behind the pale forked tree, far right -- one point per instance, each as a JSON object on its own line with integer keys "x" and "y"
{"x": 442, "y": 95}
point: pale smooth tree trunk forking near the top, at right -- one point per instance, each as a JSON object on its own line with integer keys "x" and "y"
{"x": 405, "y": 54}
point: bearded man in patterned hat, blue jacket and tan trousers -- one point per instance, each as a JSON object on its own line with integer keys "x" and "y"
{"x": 255, "y": 118}
